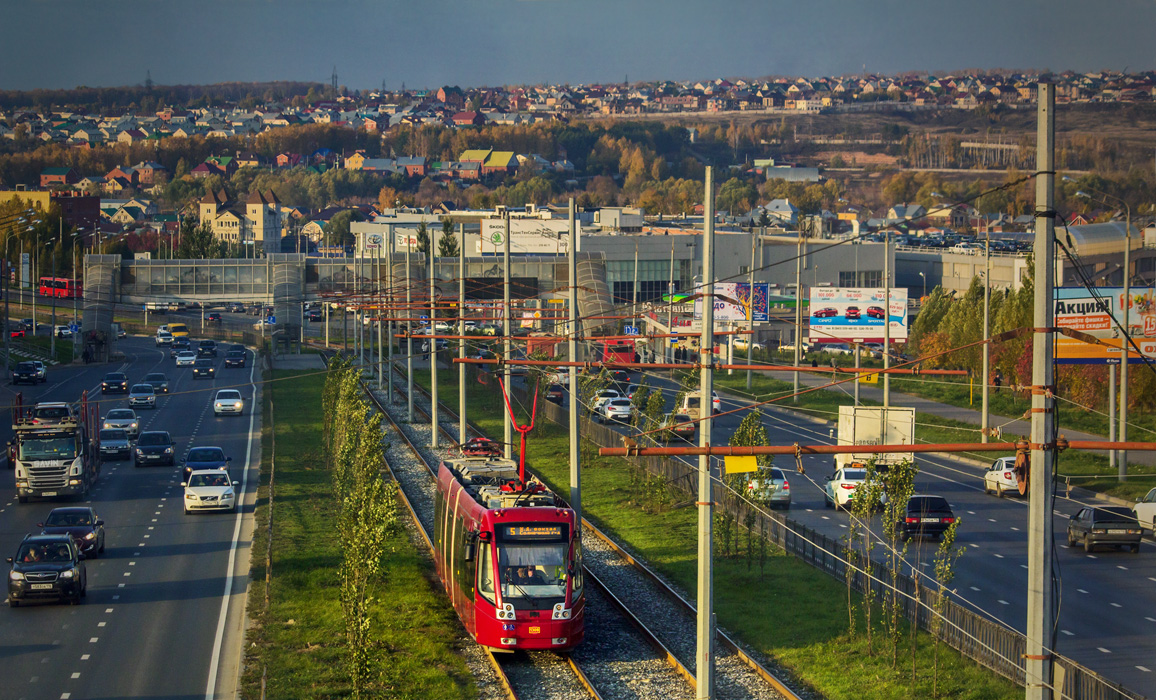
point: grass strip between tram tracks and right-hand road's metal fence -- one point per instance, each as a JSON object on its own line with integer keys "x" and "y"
{"x": 789, "y": 610}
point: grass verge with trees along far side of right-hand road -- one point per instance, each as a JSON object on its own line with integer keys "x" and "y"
{"x": 1091, "y": 471}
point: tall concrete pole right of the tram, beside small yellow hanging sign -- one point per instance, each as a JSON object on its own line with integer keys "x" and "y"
{"x": 705, "y": 654}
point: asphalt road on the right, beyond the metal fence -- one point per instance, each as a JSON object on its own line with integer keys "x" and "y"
{"x": 1108, "y": 600}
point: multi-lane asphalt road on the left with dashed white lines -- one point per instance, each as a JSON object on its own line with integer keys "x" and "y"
{"x": 165, "y": 610}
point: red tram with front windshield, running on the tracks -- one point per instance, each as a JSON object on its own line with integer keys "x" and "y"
{"x": 509, "y": 556}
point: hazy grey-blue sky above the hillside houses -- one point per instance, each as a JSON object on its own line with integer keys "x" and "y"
{"x": 469, "y": 43}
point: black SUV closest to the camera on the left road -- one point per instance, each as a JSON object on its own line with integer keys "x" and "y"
{"x": 47, "y": 568}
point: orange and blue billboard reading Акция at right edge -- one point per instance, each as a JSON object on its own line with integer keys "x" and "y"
{"x": 1102, "y": 315}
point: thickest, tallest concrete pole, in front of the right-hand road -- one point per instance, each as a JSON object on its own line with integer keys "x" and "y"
{"x": 1041, "y": 605}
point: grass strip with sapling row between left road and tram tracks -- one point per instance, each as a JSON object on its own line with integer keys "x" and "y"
{"x": 300, "y": 639}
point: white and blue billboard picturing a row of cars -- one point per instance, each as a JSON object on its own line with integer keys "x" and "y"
{"x": 854, "y": 314}
